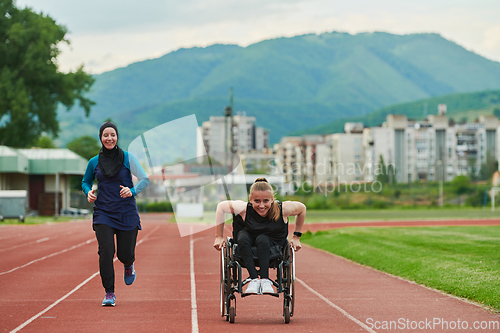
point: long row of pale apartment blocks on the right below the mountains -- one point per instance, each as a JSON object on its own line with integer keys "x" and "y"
{"x": 430, "y": 149}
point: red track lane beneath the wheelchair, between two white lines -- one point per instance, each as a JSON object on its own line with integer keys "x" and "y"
{"x": 260, "y": 312}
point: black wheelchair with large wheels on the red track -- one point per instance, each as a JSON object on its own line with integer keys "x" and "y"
{"x": 282, "y": 259}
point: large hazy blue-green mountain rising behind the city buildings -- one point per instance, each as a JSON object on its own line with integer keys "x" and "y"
{"x": 289, "y": 84}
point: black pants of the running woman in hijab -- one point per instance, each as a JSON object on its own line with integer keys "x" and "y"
{"x": 125, "y": 251}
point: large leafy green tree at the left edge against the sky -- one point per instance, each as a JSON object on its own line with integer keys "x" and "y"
{"x": 31, "y": 87}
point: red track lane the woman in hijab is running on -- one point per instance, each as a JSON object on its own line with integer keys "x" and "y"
{"x": 159, "y": 300}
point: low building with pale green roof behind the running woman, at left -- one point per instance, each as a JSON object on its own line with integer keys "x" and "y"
{"x": 44, "y": 173}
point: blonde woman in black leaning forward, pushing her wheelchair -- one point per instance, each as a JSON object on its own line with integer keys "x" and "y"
{"x": 266, "y": 225}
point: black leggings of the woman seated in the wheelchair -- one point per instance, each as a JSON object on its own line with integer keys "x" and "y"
{"x": 263, "y": 244}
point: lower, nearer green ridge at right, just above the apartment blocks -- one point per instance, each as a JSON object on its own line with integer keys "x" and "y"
{"x": 459, "y": 106}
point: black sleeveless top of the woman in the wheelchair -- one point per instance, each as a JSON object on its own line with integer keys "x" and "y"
{"x": 257, "y": 225}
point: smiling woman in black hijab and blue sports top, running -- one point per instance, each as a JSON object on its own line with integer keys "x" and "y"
{"x": 115, "y": 209}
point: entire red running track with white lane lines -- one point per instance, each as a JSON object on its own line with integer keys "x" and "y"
{"x": 49, "y": 283}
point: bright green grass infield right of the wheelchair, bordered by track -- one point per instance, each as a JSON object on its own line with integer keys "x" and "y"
{"x": 462, "y": 261}
